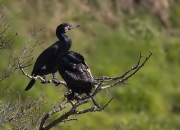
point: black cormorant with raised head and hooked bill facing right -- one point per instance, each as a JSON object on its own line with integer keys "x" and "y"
{"x": 46, "y": 63}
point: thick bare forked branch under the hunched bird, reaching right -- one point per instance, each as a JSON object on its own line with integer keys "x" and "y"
{"x": 74, "y": 105}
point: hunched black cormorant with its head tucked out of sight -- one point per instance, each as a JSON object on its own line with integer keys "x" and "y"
{"x": 77, "y": 75}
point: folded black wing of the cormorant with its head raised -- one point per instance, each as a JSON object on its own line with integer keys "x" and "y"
{"x": 45, "y": 56}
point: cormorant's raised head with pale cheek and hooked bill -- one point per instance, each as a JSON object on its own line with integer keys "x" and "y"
{"x": 64, "y": 27}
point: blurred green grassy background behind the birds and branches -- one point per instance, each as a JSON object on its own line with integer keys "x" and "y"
{"x": 110, "y": 41}
